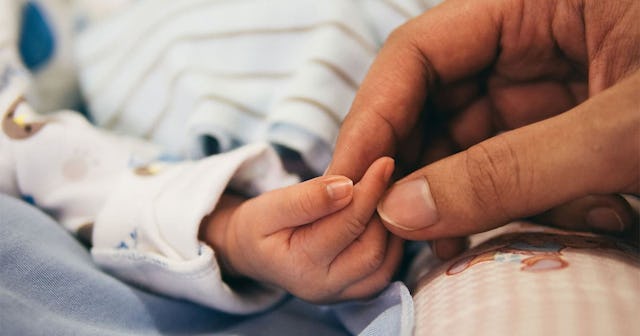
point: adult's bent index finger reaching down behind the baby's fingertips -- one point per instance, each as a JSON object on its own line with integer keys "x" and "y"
{"x": 454, "y": 40}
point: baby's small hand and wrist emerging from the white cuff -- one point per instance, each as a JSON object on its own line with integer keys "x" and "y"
{"x": 319, "y": 239}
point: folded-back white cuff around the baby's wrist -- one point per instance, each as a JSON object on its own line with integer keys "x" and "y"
{"x": 147, "y": 231}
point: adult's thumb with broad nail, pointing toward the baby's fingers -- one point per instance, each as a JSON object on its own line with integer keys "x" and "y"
{"x": 589, "y": 150}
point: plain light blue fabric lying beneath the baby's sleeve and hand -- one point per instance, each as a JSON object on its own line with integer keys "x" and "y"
{"x": 49, "y": 285}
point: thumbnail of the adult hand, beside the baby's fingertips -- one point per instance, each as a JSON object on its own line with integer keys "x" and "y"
{"x": 409, "y": 205}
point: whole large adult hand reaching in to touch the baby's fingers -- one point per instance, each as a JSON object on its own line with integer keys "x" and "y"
{"x": 538, "y": 98}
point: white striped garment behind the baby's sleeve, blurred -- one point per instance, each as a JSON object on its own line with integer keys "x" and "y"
{"x": 179, "y": 72}
